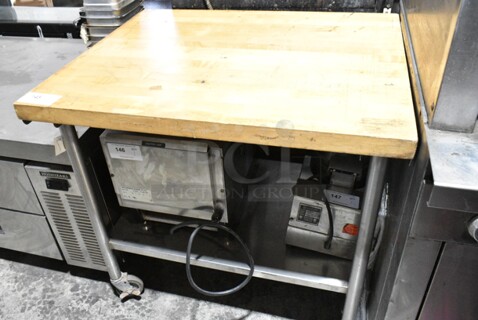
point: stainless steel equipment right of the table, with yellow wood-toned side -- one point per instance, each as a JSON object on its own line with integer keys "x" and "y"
{"x": 428, "y": 269}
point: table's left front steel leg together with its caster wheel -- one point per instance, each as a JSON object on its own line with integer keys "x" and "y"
{"x": 126, "y": 284}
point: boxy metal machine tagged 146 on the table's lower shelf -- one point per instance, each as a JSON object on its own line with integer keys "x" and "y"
{"x": 183, "y": 178}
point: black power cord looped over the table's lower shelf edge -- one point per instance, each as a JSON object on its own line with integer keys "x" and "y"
{"x": 204, "y": 224}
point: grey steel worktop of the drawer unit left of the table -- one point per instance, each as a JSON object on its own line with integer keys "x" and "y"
{"x": 28, "y": 61}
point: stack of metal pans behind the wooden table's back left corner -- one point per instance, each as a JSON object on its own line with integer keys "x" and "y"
{"x": 103, "y": 16}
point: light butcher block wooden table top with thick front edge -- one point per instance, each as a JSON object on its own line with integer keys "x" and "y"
{"x": 312, "y": 80}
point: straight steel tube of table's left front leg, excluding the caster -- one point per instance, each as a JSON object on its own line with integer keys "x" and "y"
{"x": 70, "y": 140}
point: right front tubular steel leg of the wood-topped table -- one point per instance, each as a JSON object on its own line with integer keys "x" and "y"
{"x": 373, "y": 194}
